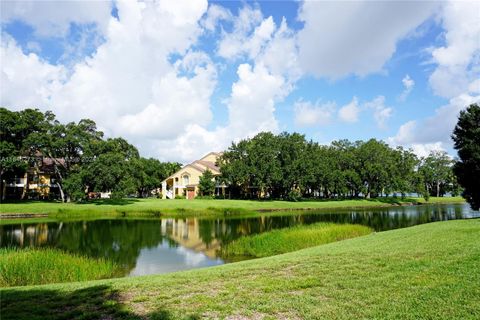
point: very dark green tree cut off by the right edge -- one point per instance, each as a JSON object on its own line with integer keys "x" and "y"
{"x": 466, "y": 136}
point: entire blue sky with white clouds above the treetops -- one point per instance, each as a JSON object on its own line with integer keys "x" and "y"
{"x": 181, "y": 81}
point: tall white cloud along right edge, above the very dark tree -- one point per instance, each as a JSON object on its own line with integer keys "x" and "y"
{"x": 455, "y": 77}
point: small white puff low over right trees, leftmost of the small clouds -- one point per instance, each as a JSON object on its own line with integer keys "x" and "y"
{"x": 308, "y": 114}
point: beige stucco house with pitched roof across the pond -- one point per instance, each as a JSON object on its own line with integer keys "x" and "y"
{"x": 185, "y": 181}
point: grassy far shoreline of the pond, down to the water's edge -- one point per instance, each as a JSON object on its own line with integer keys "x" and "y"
{"x": 200, "y": 208}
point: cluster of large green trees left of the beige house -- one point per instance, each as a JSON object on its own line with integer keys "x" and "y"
{"x": 81, "y": 159}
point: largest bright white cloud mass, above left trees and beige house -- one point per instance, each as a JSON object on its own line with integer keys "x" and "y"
{"x": 128, "y": 86}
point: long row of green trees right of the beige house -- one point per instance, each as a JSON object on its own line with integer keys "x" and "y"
{"x": 287, "y": 166}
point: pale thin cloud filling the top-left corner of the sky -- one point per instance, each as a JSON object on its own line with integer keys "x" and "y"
{"x": 53, "y": 18}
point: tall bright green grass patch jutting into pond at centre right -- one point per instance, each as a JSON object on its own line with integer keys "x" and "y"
{"x": 292, "y": 239}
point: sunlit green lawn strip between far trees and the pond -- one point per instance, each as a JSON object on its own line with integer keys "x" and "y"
{"x": 196, "y": 207}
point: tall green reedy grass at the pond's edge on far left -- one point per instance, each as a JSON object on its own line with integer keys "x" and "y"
{"x": 31, "y": 266}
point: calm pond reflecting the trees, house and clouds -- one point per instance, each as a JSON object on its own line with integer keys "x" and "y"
{"x": 151, "y": 246}
